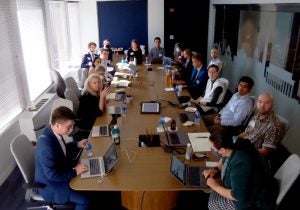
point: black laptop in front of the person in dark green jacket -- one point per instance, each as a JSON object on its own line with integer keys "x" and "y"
{"x": 190, "y": 176}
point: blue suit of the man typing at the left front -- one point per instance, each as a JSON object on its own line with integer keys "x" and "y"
{"x": 52, "y": 168}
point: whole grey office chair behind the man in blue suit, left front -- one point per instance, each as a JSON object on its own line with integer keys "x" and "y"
{"x": 23, "y": 152}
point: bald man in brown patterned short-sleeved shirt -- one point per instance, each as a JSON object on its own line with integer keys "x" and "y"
{"x": 264, "y": 129}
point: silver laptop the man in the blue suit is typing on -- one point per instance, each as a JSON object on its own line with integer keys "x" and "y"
{"x": 100, "y": 166}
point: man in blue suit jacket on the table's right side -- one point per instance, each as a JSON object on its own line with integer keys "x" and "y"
{"x": 197, "y": 82}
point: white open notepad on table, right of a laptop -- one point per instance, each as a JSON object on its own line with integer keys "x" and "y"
{"x": 199, "y": 141}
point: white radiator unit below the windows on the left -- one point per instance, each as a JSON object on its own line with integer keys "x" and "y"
{"x": 33, "y": 122}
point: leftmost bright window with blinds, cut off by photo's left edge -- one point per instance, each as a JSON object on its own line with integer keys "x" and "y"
{"x": 10, "y": 104}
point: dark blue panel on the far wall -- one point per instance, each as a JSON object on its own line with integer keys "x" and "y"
{"x": 121, "y": 21}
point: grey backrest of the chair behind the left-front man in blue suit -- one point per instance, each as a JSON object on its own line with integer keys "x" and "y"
{"x": 23, "y": 152}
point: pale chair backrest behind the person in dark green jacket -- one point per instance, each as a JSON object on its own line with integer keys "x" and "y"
{"x": 286, "y": 175}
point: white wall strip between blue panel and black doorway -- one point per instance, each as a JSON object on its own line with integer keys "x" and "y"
{"x": 155, "y": 21}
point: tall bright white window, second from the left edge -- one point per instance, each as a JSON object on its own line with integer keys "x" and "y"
{"x": 34, "y": 46}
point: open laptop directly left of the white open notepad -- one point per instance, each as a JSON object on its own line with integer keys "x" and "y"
{"x": 176, "y": 138}
